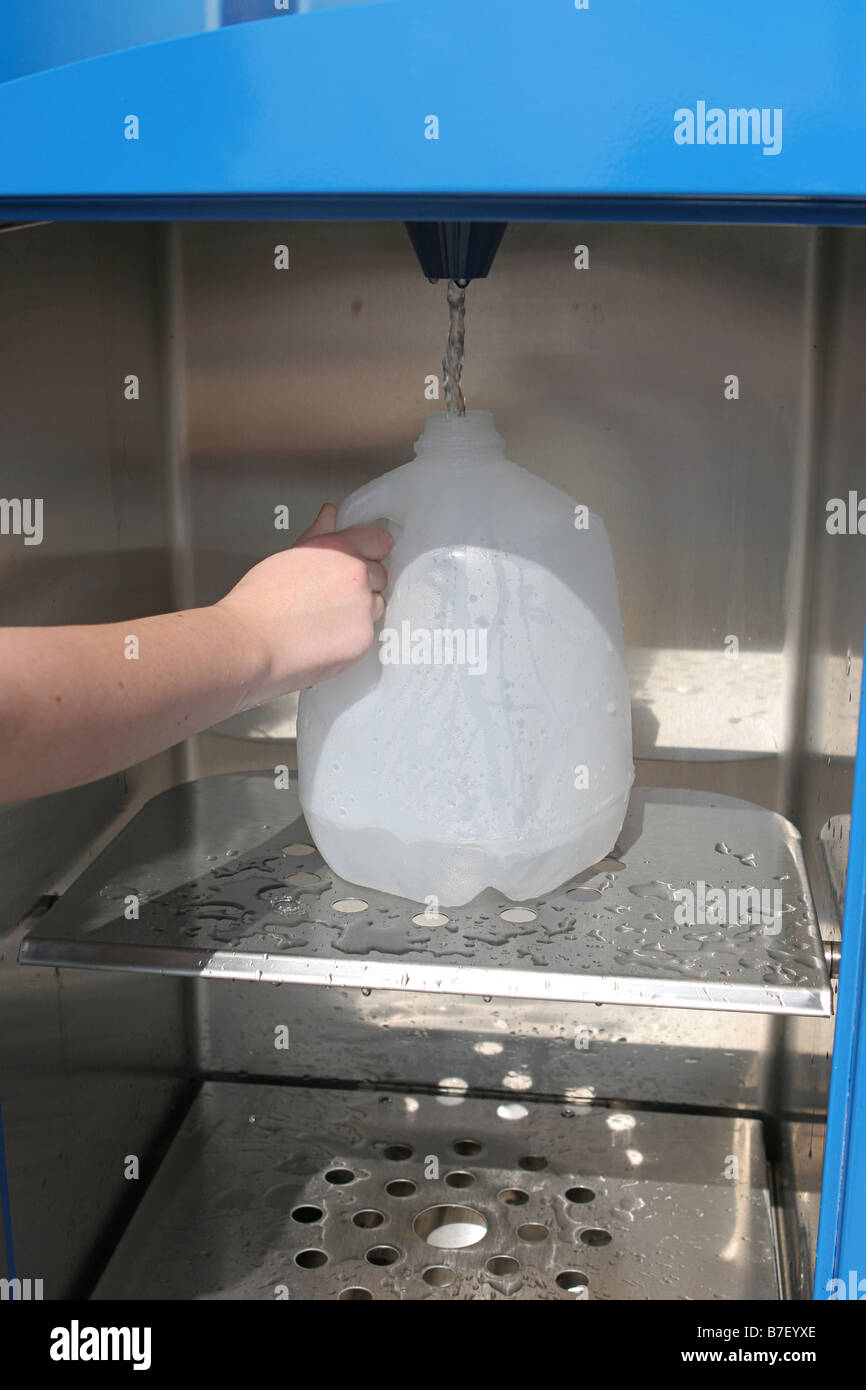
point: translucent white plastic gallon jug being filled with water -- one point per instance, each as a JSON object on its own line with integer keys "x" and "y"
{"x": 486, "y": 737}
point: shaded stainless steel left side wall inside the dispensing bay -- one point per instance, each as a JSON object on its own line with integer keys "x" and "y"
{"x": 90, "y": 1063}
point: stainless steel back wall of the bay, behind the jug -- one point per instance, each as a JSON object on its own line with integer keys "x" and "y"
{"x": 700, "y": 389}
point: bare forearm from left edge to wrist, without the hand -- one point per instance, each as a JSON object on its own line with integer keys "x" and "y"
{"x": 81, "y": 703}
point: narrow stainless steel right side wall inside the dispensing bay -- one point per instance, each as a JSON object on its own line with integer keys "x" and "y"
{"x": 832, "y": 680}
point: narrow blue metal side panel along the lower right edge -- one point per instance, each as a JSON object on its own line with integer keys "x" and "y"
{"x": 842, "y": 1248}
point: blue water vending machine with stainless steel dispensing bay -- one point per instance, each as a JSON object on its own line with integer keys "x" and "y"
{"x": 245, "y": 1056}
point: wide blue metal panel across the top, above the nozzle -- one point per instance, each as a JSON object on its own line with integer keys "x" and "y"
{"x": 539, "y": 99}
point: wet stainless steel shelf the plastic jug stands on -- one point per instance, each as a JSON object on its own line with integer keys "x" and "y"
{"x": 230, "y": 888}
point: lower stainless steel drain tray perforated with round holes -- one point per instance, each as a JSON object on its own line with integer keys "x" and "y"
{"x": 280, "y": 1192}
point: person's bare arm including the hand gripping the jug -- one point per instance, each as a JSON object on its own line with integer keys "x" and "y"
{"x": 81, "y": 703}
